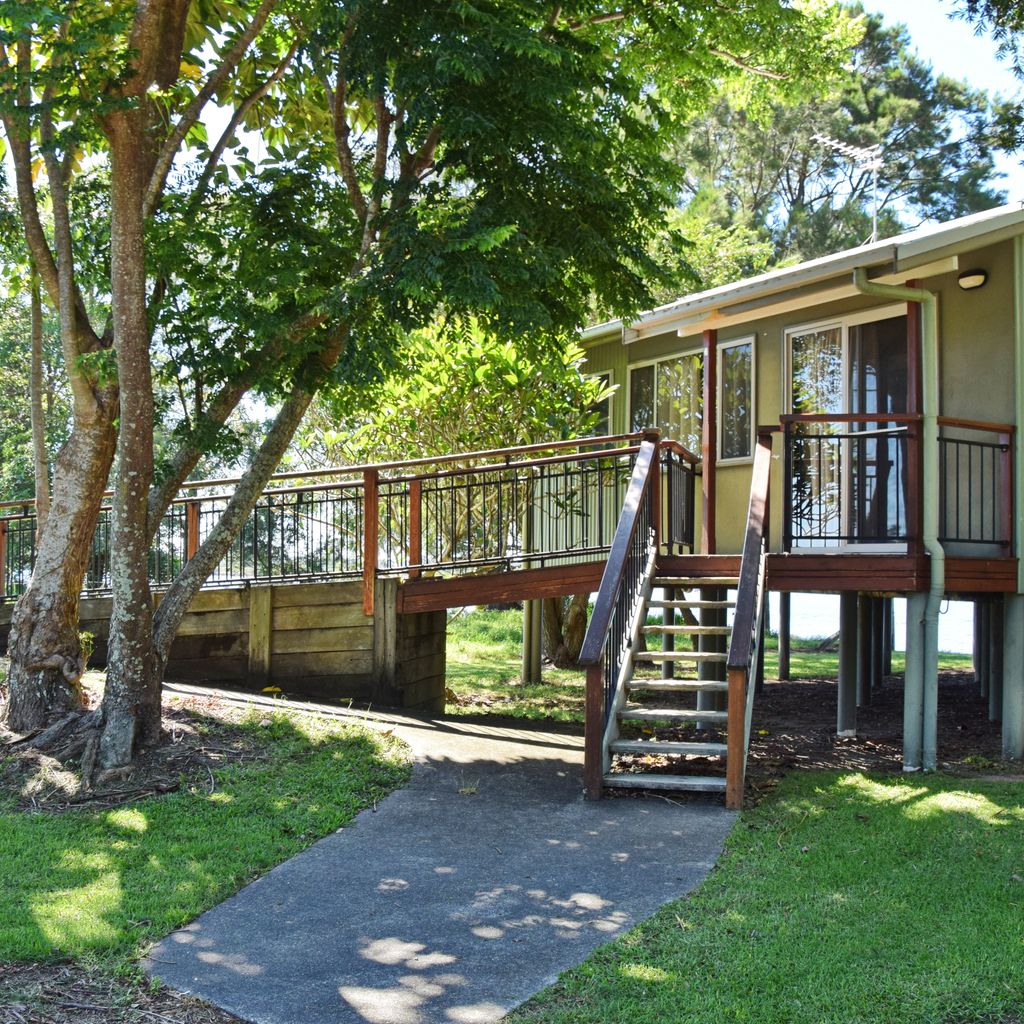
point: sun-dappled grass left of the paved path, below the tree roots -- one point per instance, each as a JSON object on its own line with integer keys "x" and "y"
{"x": 106, "y": 882}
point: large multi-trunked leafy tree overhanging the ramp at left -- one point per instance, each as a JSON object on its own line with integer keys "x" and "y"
{"x": 503, "y": 159}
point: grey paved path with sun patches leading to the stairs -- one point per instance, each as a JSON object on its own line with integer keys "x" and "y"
{"x": 458, "y": 899}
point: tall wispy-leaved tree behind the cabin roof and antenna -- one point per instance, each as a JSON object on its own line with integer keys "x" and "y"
{"x": 765, "y": 168}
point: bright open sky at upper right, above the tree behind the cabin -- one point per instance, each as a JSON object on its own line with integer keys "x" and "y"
{"x": 953, "y": 49}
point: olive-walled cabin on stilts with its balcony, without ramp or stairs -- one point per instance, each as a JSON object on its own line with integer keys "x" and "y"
{"x": 885, "y": 386}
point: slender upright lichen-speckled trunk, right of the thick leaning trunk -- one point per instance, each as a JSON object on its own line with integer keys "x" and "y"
{"x": 132, "y": 697}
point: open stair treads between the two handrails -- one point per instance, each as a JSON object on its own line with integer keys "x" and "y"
{"x": 648, "y": 741}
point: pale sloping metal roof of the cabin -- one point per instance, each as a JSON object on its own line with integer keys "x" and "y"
{"x": 808, "y": 283}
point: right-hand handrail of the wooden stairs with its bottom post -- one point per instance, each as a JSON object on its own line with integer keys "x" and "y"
{"x": 747, "y": 648}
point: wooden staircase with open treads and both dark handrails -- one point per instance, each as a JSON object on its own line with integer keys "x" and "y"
{"x": 684, "y": 747}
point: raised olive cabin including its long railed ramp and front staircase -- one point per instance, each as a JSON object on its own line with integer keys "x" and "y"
{"x": 847, "y": 425}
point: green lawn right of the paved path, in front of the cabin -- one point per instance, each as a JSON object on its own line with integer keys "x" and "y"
{"x": 844, "y": 899}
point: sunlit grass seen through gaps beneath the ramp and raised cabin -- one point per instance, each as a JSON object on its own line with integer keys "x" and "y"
{"x": 485, "y": 659}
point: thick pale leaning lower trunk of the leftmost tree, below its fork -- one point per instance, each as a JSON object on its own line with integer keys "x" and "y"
{"x": 46, "y": 654}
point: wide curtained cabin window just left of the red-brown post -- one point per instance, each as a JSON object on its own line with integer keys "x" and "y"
{"x": 668, "y": 395}
